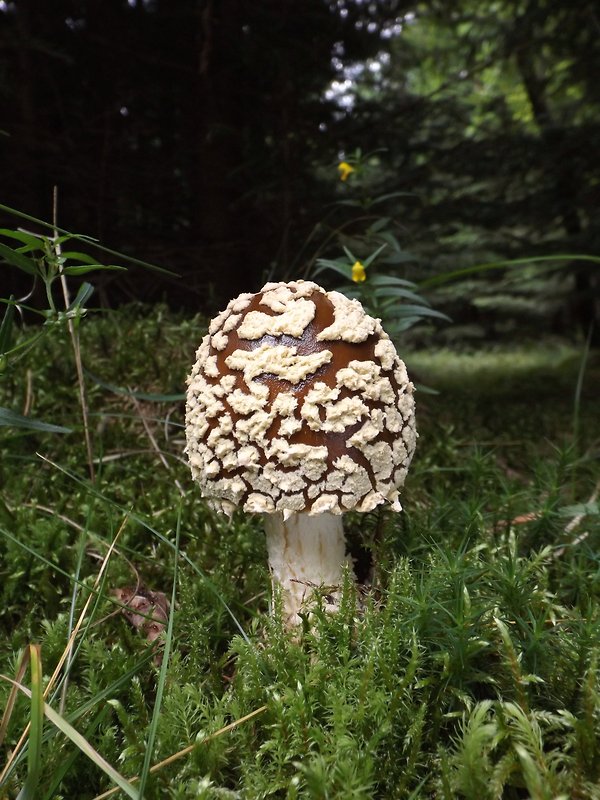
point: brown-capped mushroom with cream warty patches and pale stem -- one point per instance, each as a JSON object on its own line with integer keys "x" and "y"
{"x": 299, "y": 408}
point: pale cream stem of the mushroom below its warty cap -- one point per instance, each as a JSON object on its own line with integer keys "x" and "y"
{"x": 306, "y": 551}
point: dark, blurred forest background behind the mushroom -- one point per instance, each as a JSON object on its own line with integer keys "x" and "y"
{"x": 204, "y": 136}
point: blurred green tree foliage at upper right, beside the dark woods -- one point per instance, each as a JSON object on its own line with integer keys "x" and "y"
{"x": 497, "y": 150}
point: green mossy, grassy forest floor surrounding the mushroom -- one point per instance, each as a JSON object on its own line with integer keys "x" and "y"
{"x": 473, "y": 670}
